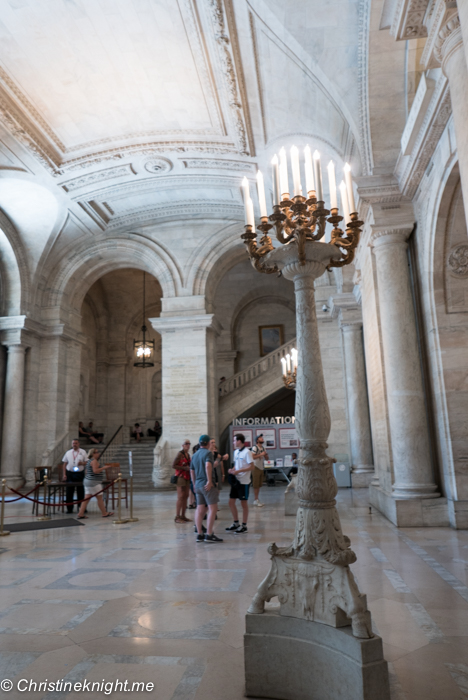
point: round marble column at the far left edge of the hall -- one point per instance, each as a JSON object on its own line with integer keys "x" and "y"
{"x": 13, "y": 416}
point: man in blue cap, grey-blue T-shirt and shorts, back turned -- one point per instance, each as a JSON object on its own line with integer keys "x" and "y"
{"x": 201, "y": 472}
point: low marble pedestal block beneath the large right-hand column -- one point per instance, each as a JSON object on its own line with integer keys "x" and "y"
{"x": 415, "y": 512}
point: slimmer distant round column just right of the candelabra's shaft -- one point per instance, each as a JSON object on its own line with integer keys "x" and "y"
{"x": 358, "y": 405}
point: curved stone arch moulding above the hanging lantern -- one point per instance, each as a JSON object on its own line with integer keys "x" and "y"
{"x": 90, "y": 262}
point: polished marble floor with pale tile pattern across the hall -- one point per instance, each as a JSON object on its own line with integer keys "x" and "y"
{"x": 143, "y": 602}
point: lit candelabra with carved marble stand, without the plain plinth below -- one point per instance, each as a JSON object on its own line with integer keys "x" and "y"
{"x": 311, "y": 576}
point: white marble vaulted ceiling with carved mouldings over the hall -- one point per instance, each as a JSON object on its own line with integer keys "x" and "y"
{"x": 121, "y": 118}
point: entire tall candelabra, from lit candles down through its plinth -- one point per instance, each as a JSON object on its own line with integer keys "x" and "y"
{"x": 320, "y": 642}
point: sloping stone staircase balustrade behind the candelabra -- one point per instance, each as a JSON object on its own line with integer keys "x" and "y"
{"x": 253, "y": 384}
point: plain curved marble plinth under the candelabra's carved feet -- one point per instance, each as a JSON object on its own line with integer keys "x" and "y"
{"x": 292, "y": 659}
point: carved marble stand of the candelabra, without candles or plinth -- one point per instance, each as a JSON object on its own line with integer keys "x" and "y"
{"x": 311, "y": 576}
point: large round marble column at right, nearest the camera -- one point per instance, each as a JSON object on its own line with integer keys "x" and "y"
{"x": 409, "y": 435}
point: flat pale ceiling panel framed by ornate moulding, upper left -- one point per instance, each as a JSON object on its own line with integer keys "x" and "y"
{"x": 95, "y": 71}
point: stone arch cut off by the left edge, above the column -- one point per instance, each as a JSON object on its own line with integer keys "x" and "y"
{"x": 14, "y": 275}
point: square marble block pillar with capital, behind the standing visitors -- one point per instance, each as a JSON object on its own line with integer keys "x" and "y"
{"x": 189, "y": 384}
